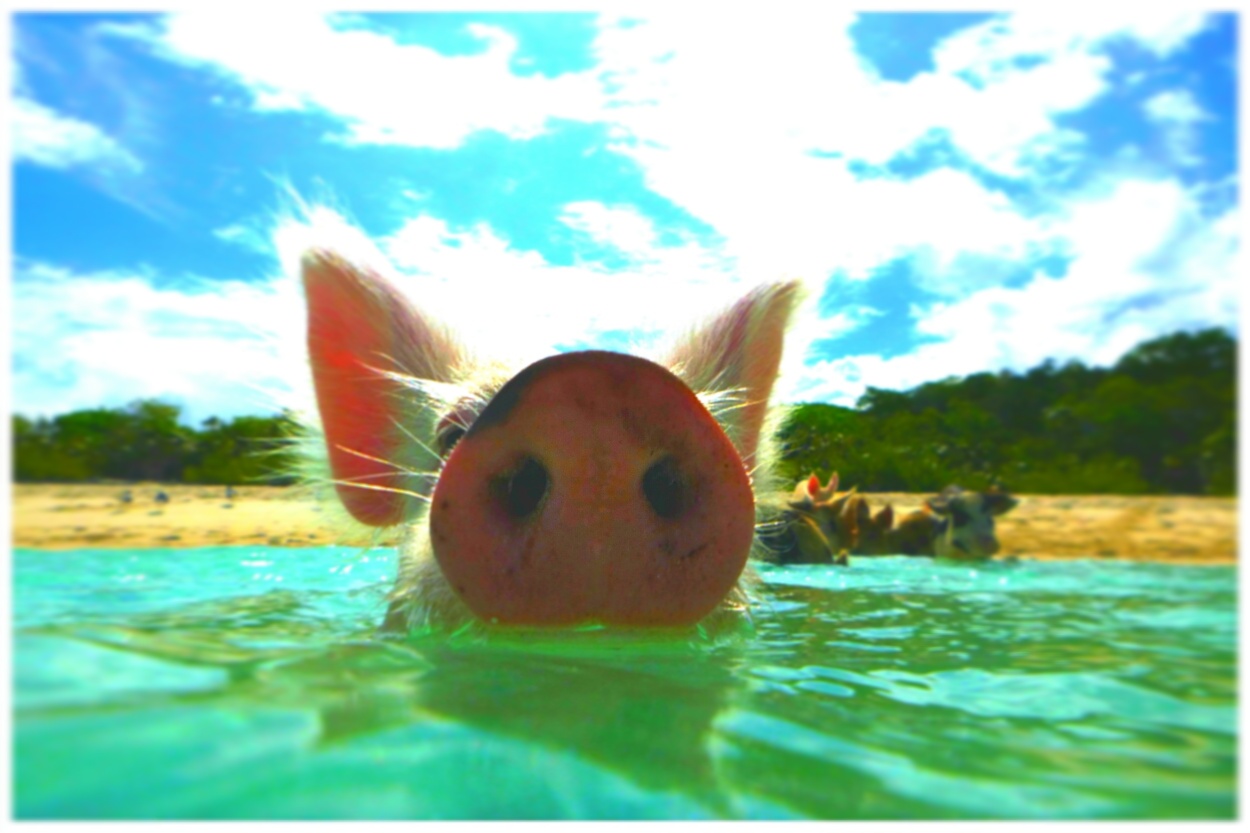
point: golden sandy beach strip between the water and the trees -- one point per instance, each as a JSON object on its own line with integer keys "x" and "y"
{"x": 1173, "y": 530}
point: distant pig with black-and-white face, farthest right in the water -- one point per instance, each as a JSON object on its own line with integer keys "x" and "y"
{"x": 954, "y": 525}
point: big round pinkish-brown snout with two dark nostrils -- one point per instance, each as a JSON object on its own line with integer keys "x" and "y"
{"x": 594, "y": 487}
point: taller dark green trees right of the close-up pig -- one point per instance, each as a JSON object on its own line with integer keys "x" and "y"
{"x": 1162, "y": 421}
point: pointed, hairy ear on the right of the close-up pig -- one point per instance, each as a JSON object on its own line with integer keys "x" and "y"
{"x": 741, "y": 351}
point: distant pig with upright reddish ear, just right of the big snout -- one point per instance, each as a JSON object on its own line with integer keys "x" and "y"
{"x": 811, "y": 528}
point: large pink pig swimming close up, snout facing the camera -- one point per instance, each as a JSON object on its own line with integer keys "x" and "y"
{"x": 588, "y": 487}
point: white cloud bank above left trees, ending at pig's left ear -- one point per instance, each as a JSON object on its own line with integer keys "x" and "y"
{"x": 84, "y": 341}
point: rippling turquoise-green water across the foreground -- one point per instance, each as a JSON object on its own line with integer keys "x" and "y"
{"x": 233, "y": 684}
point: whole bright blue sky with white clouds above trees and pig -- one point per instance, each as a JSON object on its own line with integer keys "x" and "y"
{"x": 961, "y": 192}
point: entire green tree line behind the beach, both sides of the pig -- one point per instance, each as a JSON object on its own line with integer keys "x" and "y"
{"x": 1163, "y": 420}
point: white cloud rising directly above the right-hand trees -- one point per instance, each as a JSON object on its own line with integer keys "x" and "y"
{"x": 1144, "y": 265}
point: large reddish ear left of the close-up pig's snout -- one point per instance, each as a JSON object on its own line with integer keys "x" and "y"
{"x": 361, "y": 331}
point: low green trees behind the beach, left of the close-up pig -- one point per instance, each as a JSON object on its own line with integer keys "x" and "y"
{"x": 146, "y": 442}
